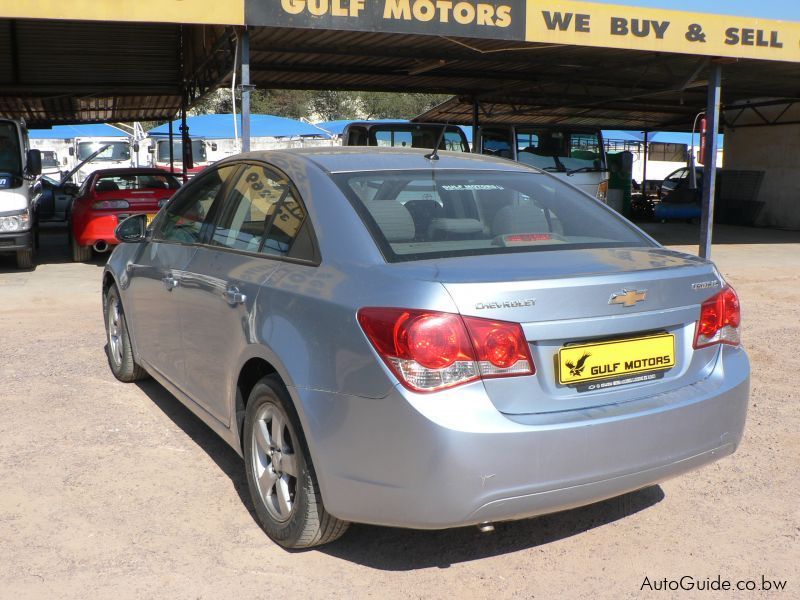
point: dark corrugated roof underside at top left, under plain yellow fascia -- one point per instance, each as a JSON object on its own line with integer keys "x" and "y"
{"x": 60, "y": 72}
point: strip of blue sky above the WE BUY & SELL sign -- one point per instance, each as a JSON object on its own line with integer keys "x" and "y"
{"x": 787, "y": 10}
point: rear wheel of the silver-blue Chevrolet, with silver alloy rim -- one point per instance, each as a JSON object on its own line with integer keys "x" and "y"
{"x": 281, "y": 478}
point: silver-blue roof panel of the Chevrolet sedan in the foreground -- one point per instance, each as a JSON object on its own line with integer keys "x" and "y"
{"x": 372, "y": 158}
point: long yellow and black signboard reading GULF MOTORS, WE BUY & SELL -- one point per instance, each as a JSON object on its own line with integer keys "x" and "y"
{"x": 572, "y": 22}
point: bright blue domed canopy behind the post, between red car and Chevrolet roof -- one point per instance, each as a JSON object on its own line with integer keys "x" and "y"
{"x": 220, "y": 127}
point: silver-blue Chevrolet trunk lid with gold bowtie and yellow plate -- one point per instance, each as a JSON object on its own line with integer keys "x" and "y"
{"x": 595, "y": 302}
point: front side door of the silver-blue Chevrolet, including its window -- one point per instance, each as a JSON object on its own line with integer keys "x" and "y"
{"x": 155, "y": 285}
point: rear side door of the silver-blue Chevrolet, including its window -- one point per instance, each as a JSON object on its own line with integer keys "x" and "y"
{"x": 258, "y": 223}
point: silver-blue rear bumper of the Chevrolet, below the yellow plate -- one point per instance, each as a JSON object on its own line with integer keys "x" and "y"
{"x": 451, "y": 459}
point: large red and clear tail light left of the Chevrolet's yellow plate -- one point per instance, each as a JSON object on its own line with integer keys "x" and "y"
{"x": 430, "y": 350}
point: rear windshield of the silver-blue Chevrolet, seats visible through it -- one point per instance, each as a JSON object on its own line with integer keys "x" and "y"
{"x": 416, "y": 215}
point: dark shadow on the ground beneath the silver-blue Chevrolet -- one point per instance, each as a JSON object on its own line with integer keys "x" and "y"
{"x": 393, "y": 549}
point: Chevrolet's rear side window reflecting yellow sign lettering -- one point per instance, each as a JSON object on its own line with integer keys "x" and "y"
{"x": 262, "y": 214}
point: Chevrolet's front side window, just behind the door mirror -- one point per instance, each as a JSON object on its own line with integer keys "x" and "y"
{"x": 184, "y": 218}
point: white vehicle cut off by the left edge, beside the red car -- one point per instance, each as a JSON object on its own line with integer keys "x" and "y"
{"x": 19, "y": 167}
